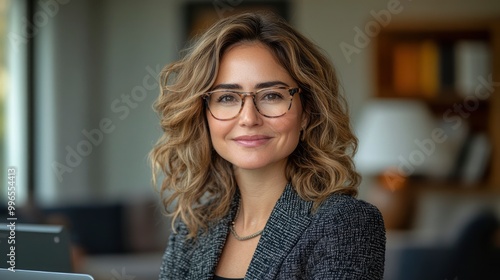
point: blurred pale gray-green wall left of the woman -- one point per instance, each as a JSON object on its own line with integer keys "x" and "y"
{"x": 97, "y": 65}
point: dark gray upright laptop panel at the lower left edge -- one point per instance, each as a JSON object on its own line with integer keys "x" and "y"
{"x": 35, "y": 247}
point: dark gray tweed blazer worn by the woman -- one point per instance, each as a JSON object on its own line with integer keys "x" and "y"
{"x": 343, "y": 239}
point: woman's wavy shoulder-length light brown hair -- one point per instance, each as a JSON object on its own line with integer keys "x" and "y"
{"x": 198, "y": 185}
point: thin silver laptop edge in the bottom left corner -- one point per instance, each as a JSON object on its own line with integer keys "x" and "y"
{"x": 19, "y": 274}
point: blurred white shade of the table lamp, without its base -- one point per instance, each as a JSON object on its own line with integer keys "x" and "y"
{"x": 402, "y": 135}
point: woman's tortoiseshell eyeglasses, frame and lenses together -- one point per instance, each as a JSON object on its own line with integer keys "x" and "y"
{"x": 270, "y": 102}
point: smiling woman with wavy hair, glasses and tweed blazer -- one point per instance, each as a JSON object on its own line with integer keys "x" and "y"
{"x": 257, "y": 161}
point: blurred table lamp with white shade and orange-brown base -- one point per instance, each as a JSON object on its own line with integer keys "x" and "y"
{"x": 396, "y": 141}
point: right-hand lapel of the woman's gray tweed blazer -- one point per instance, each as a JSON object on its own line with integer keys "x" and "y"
{"x": 290, "y": 217}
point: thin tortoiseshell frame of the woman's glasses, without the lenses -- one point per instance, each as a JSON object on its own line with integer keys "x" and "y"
{"x": 243, "y": 94}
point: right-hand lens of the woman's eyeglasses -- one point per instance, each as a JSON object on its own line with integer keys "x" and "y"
{"x": 273, "y": 102}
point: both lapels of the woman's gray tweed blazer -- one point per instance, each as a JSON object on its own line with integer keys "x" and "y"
{"x": 288, "y": 220}
